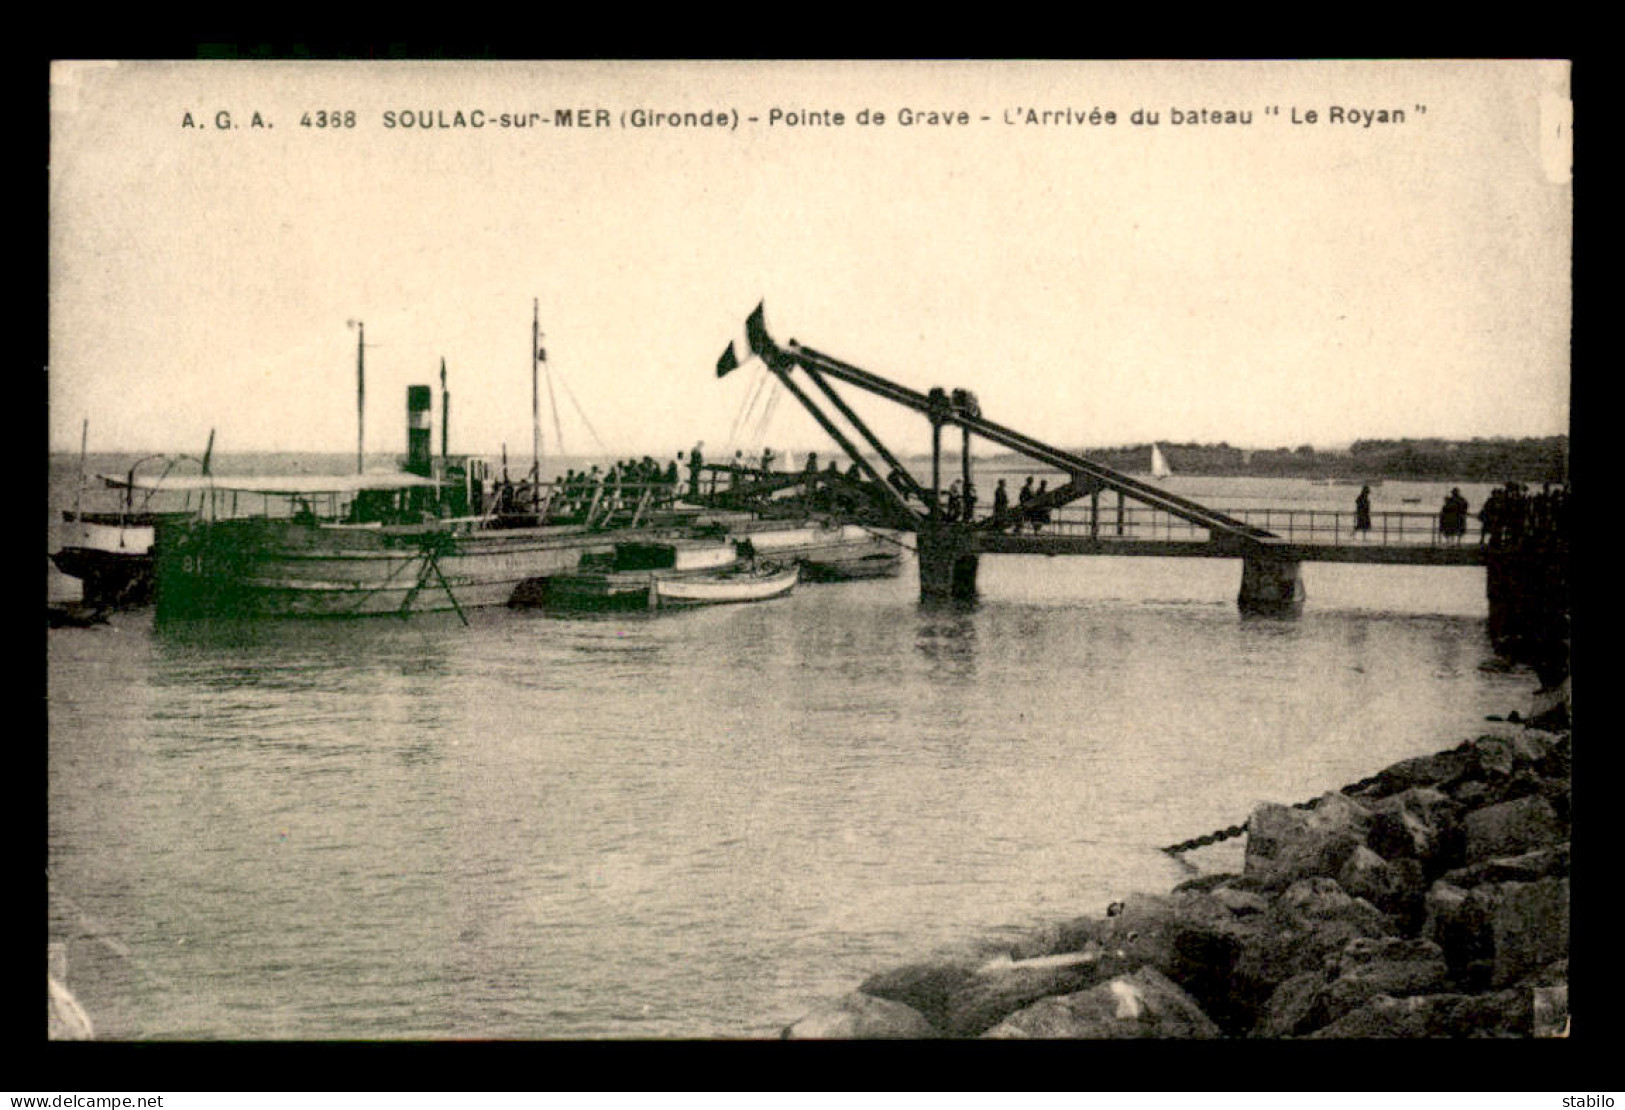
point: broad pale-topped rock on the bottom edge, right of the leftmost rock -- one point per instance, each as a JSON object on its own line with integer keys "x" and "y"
{"x": 1143, "y": 1004}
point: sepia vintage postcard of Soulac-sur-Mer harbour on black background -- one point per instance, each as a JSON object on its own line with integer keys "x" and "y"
{"x": 732, "y": 550}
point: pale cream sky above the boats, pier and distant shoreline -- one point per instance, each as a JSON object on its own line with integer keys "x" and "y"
{"x": 1272, "y": 284}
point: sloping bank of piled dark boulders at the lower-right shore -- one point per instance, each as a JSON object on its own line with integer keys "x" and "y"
{"x": 1428, "y": 901}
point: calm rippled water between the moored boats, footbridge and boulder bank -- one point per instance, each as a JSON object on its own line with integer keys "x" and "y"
{"x": 700, "y": 823}
